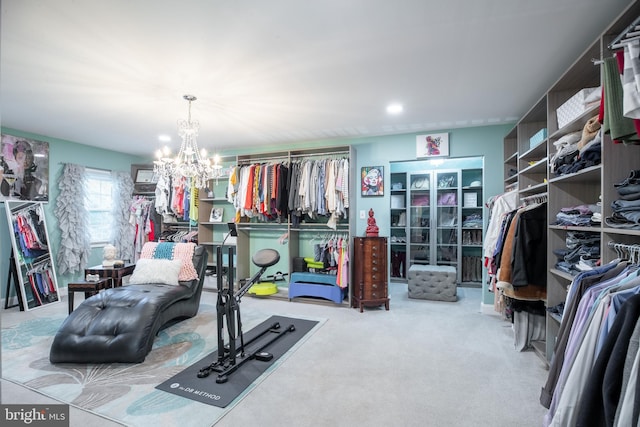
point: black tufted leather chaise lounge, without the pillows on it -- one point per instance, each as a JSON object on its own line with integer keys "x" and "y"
{"x": 120, "y": 324}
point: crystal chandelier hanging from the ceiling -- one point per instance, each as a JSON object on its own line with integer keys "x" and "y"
{"x": 190, "y": 162}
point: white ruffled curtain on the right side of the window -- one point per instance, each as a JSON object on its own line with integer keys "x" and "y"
{"x": 124, "y": 232}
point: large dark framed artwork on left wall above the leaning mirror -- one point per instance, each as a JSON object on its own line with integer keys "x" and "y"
{"x": 24, "y": 169}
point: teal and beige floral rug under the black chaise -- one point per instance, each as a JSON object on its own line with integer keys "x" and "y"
{"x": 122, "y": 392}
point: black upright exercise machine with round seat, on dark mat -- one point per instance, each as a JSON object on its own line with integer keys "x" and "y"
{"x": 229, "y": 358}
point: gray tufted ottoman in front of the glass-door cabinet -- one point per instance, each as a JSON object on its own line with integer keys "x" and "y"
{"x": 434, "y": 282}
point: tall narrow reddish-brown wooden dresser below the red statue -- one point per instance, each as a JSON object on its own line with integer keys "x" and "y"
{"x": 369, "y": 263}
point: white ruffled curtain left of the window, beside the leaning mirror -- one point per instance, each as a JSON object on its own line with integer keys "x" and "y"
{"x": 73, "y": 220}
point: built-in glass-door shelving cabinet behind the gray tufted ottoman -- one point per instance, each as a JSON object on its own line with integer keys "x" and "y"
{"x": 432, "y": 233}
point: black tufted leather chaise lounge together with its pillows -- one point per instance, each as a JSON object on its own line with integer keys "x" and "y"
{"x": 120, "y": 324}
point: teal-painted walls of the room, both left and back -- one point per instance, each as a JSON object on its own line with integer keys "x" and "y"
{"x": 486, "y": 141}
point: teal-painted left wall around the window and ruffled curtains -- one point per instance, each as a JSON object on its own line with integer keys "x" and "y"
{"x": 61, "y": 152}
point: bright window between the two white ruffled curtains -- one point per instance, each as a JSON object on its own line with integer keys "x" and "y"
{"x": 99, "y": 205}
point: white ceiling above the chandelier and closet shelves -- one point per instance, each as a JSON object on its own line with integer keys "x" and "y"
{"x": 113, "y": 73}
